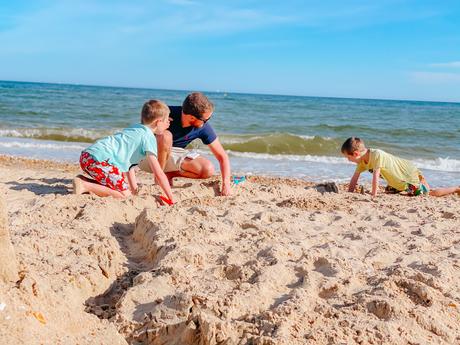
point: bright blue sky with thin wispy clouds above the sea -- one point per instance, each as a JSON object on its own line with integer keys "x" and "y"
{"x": 386, "y": 49}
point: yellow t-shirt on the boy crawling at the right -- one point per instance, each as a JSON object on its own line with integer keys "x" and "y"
{"x": 396, "y": 171}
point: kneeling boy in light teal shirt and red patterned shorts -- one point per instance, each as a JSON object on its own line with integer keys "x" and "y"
{"x": 109, "y": 159}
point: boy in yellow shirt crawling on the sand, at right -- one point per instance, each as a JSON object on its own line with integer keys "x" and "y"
{"x": 399, "y": 173}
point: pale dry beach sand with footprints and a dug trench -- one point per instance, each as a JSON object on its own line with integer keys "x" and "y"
{"x": 277, "y": 263}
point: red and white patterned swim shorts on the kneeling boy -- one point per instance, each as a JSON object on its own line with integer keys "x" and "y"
{"x": 104, "y": 173}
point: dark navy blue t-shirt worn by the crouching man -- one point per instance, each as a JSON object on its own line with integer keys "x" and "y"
{"x": 184, "y": 136}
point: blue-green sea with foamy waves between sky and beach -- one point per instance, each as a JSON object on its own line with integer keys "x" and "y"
{"x": 263, "y": 134}
